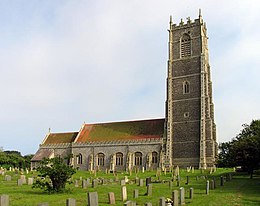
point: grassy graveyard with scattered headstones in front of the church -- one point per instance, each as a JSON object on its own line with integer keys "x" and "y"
{"x": 175, "y": 187}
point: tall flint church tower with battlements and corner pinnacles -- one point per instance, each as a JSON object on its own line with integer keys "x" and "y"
{"x": 190, "y": 137}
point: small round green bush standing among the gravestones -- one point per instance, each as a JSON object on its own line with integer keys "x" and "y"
{"x": 54, "y": 174}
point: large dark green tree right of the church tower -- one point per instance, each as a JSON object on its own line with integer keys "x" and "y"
{"x": 244, "y": 150}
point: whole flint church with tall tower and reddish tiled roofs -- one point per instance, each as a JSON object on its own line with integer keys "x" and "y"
{"x": 185, "y": 137}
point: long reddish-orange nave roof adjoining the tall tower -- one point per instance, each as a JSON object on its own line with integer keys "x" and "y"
{"x": 130, "y": 130}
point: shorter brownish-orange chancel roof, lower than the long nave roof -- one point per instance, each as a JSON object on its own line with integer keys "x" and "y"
{"x": 57, "y": 138}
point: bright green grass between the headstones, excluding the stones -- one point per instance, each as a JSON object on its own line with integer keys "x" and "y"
{"x": 240, "y": 191}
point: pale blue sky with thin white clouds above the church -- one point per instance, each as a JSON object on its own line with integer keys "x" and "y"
{"x": 63, "y": 63}
